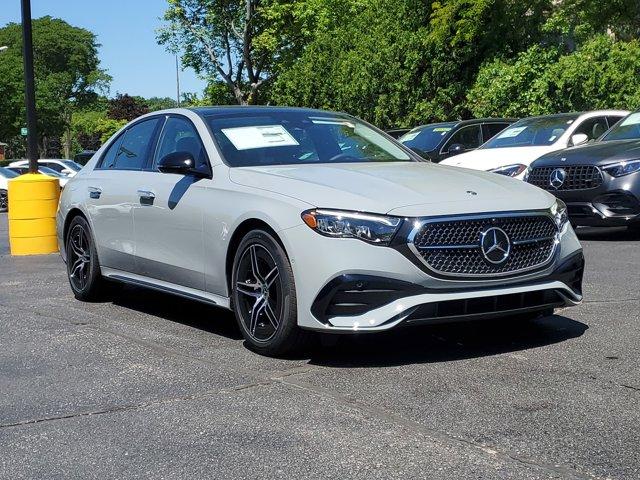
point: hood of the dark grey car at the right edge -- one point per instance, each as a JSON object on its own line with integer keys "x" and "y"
{"x": 598, "y": 153}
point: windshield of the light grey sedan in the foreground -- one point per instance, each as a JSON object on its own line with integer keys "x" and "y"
{"x": 295, "y": 138}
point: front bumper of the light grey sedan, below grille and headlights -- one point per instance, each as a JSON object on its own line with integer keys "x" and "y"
{"x": 346, "y": 285}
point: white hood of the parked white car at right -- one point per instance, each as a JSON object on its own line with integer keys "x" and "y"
{"x": 490, "y": 158}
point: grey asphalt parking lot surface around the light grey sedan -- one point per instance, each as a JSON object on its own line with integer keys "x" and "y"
{"x": 158, "y": 387}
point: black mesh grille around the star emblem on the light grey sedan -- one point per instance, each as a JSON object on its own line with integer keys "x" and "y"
{"x": 452, "y": 247}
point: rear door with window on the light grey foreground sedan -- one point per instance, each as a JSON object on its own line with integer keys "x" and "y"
{"x": 112, "y": 194}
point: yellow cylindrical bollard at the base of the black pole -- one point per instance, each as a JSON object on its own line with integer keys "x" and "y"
{"x": 33, "y": 202}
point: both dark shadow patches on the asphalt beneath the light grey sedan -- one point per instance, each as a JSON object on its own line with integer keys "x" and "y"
{"x": 402, "y": 346}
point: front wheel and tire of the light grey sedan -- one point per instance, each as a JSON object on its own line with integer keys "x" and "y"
{"x": 264, "y": 296}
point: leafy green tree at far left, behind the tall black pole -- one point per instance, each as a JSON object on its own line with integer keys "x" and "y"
{"x": 67, "y": 76}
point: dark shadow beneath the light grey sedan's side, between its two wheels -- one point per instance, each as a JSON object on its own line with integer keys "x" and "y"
{"x": 208, "y": 318}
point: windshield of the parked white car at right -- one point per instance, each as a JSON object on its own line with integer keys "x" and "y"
{"x": 532, "y": 132}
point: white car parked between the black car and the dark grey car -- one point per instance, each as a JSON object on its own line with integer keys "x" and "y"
{"x": 512, "y": 151}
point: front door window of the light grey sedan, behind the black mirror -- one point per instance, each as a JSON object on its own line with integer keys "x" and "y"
{"x": 179, "y": 135}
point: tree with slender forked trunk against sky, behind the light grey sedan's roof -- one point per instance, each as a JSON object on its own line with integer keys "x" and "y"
{"x": 238, "y": 42}
